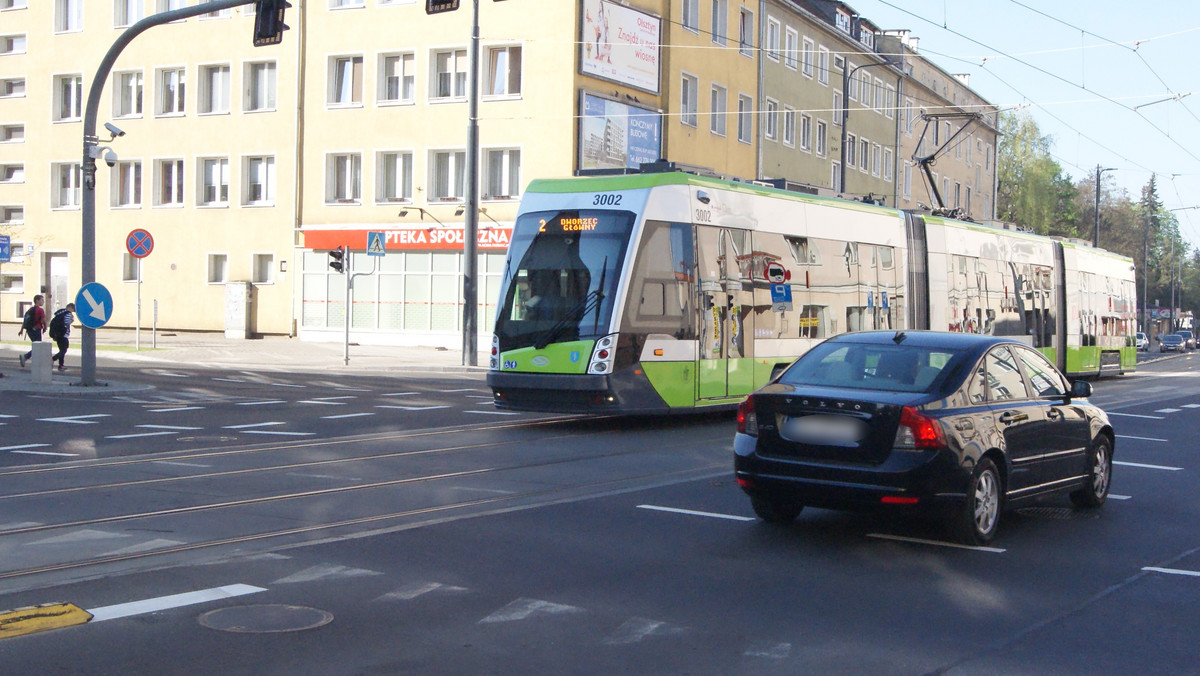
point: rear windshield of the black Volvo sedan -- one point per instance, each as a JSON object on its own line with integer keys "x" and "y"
{"x": 887, "y": 368}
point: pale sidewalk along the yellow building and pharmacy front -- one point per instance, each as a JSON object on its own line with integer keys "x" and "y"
{"x": 213, "y": 350}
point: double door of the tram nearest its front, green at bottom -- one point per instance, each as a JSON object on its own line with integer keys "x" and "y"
{"x": 727, "y": 313}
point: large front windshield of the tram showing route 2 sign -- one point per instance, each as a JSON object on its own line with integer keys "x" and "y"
{"x": 562, "y": 276}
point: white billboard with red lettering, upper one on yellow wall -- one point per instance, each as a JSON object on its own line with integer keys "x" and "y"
{"x": 621, "y": 45}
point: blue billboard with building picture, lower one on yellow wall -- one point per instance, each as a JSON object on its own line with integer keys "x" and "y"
{"x": 617, "y": 136}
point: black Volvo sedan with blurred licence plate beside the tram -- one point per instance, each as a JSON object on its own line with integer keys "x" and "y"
{"x": 957, "y": 426}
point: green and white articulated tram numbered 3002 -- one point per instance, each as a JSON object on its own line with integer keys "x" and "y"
{"x": 671, "y": 292}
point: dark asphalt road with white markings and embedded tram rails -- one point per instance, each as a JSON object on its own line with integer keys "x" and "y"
{"x": 406, "y": 529}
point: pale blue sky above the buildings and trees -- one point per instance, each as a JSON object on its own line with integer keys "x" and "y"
{"x": 1113, "y": 83}
